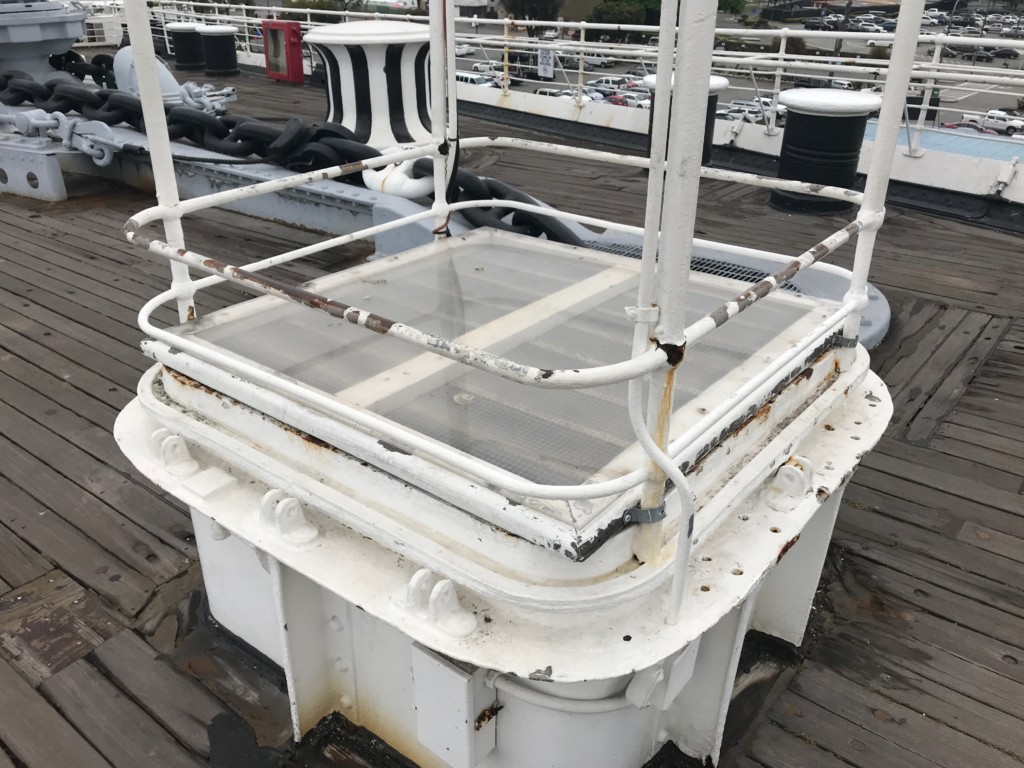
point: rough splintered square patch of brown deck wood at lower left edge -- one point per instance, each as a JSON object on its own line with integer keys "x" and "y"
{"x": 51, "y": 623}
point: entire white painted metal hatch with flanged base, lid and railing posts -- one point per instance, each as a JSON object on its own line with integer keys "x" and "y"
{"x": 517, "y": 526}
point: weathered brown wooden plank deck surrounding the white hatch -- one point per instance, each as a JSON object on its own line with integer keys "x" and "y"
{"x": 917, "y": 655}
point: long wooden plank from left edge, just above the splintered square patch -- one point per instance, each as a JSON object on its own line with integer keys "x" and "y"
{"x": 76, "y": 553}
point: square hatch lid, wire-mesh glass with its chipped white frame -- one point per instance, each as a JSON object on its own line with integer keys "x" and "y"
{"x": 541, "y": 303}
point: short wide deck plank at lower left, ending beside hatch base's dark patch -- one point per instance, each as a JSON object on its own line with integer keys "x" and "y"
{"x": 182, "y": 706}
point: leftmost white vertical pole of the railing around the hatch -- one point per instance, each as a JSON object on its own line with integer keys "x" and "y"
{"x": 138, "y": 17}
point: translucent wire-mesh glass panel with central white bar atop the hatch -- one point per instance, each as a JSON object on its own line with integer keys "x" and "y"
{"x": 541, "y": 305}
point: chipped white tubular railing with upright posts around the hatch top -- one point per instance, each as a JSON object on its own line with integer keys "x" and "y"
{"x": 668, "y": 237}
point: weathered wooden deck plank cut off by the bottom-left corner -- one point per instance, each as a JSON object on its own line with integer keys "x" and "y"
{"x": 35, "y": 734}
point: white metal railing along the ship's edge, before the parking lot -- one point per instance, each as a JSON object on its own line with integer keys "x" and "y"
{"x": 933, "y": 71}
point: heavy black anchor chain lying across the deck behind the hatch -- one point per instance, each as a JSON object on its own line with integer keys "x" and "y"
{"x": 296, "y": 146}
